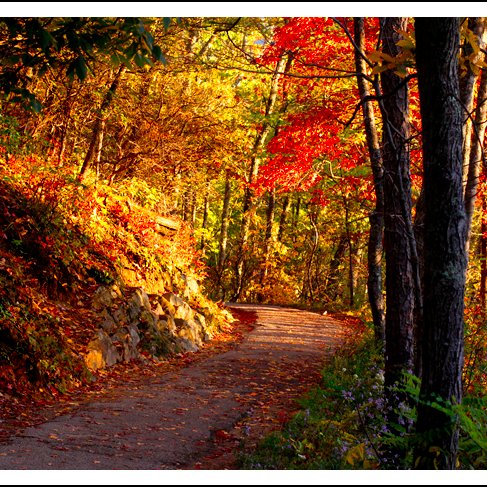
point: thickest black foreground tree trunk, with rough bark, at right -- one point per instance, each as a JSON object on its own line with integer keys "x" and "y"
{"x": 444, "y": 238}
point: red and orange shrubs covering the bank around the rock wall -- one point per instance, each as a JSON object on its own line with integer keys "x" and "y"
{"x": 61, "y": 239}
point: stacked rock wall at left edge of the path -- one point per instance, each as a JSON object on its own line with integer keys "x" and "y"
{"x": 159, "y": 324}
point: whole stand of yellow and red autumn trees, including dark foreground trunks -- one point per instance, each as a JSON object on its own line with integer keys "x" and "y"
{"x": 294, "y": 149}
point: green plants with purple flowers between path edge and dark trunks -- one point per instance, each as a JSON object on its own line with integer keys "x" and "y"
{"x": 336, "y": 425}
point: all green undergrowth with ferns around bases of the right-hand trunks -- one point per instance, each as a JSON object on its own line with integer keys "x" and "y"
{"x": 342, "y": 424}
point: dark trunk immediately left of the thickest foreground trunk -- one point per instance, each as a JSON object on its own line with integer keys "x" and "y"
{"x": 398, "y": 234}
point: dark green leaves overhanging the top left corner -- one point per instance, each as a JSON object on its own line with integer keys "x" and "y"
{"x": 31, "y": 46}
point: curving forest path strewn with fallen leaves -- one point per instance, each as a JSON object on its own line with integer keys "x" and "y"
{"x": 195, "y": 417}
